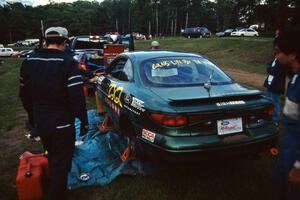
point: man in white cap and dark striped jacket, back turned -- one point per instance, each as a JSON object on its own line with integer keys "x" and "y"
{"x": 51, "y": 90}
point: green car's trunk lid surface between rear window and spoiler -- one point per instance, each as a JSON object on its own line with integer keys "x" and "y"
{"x": 198, "y": 93}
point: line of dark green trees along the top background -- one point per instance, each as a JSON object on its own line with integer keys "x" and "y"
{"x": 156, "y": 17}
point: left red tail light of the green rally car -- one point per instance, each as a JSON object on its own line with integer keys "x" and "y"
{"x": 169, "y": 120}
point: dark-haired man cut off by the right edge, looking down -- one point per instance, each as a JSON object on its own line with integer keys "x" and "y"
{"x": 286, "y": 174}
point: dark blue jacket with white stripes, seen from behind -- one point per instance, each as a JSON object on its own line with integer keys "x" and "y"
{"x": 51, "y": 90}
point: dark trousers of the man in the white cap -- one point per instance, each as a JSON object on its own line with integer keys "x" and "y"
{"x": 60, "y": 144}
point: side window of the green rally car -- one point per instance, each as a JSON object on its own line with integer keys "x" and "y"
{"x": 122, "y": 70}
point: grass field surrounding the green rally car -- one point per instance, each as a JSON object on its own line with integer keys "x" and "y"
{"x": 245, "y": 179}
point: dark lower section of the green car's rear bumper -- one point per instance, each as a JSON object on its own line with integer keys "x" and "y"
{"x": 238, "y": 149}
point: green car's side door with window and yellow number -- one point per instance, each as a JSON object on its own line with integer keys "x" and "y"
{"x": 117, "y": 84}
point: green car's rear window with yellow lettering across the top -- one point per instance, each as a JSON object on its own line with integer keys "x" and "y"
{"x": 182, "y": 71}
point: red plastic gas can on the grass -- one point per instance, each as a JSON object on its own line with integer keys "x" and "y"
{"x": 32, "y": 174}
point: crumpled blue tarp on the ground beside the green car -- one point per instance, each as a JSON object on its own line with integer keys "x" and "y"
{"x": 96, "y": 160}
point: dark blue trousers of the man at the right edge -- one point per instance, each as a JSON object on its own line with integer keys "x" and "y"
{"x": 281, "y": 189}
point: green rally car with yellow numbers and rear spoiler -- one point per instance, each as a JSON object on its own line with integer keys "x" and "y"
{"x": 180, "y": 106}
